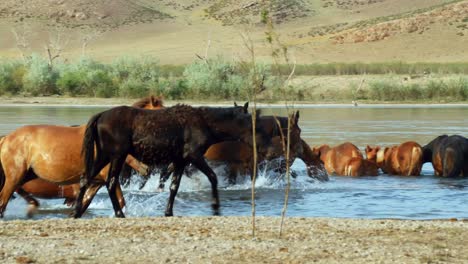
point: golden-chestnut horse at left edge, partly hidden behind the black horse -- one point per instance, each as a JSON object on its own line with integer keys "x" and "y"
{"x": 41, "y": 160}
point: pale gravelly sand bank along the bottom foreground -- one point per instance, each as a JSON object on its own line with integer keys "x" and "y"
{"x": 229, "y": 240}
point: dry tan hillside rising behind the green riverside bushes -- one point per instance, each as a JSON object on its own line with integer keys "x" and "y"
{"x": 175, "y": 31}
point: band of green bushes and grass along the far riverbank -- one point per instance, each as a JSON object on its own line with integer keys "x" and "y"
{"x": 218, "y": 78}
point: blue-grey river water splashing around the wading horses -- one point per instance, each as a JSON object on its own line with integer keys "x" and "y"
{"x": 424, "y": 197}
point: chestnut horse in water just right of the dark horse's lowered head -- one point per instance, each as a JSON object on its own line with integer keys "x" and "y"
{"x": 335, "y": 159}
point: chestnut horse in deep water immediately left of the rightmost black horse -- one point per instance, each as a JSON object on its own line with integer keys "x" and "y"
{"x": 404, "y": 159}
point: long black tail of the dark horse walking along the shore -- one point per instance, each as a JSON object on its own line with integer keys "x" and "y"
{"x": 90, "y": 138}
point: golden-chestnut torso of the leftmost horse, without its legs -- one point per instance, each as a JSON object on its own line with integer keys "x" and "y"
{"x": 53, "y": 152}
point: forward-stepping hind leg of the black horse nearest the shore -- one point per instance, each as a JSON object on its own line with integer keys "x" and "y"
{"x": 112, "y": 182}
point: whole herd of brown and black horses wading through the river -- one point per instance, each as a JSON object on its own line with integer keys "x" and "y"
{"x": 48, "y": 161}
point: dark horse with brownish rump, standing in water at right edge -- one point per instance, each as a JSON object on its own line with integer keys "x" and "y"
{"x": 448, "y": 154}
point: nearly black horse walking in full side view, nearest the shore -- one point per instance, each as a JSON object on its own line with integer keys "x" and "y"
{"x": 179, "y": 135}
